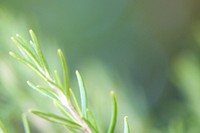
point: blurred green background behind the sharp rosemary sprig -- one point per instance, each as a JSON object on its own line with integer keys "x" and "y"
{"x": 147, "y": 51}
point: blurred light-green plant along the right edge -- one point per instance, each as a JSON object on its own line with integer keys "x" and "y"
{"x": 186, "y": 70}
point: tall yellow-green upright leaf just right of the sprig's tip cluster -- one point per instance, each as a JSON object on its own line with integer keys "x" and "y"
{"x": 65, "y": 71}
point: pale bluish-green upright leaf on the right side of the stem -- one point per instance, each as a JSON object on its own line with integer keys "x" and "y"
{"x": 82, "y": 94}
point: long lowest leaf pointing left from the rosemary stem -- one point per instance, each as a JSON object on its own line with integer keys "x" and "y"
{"x": 56, "y": 119}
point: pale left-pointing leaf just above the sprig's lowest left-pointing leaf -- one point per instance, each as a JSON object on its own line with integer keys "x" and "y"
{"x": 45, "y": 91}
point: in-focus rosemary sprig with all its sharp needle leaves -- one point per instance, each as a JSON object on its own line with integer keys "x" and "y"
{"x": 76, "y": 116}
